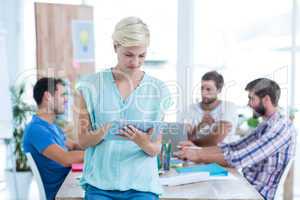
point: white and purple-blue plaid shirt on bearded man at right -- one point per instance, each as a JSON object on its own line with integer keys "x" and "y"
{"x": 264, "y": 154}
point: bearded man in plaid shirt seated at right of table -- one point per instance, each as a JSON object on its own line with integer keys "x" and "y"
{"x": 264, "y": 153}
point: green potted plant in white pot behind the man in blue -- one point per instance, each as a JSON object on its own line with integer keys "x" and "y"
{"x": 21, "y": 111}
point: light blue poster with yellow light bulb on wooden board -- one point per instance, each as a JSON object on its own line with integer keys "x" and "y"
{"x": 83, "y": 41}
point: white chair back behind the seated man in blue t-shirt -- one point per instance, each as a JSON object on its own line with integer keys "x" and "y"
{"x": 36, "y": 175}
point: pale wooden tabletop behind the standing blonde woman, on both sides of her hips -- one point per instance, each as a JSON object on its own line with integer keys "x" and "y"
{"x": 234, "y": 189}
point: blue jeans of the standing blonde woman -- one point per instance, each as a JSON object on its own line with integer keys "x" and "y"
{"x": 93, "y": 193}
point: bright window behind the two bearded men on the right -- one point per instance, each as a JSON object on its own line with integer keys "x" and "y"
{"x": 243, "y": 41}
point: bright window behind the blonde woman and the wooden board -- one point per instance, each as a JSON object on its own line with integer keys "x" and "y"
{"x": 160, "y": 16}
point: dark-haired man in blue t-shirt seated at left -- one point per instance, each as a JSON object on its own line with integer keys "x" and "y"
{"x": 50, "y": 149}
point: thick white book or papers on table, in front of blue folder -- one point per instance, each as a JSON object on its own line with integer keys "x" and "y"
{"x": 186, "y": 178}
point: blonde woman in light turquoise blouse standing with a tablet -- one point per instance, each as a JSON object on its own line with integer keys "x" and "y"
{"x": 125, "y": 169}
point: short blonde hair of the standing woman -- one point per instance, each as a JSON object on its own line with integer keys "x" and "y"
{"x": 131, "y": 31}
